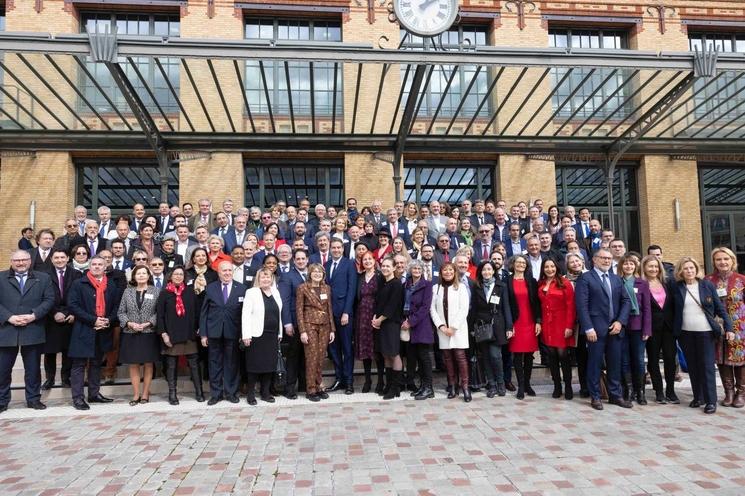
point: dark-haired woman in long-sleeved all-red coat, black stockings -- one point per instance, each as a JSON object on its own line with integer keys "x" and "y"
{"x": 557, "y": 308}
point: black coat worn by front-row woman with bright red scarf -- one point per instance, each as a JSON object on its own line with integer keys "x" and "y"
{"x": 179, "y": 329}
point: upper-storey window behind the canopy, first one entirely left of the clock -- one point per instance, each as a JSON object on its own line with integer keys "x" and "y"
{"x": 301, "y": 85}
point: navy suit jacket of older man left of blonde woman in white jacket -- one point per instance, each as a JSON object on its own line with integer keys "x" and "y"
{"x": 218, "y": 319}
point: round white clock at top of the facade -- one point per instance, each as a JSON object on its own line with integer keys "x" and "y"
{"x": 426, "y": 17}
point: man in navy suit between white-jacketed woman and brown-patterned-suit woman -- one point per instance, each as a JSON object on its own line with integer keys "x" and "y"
{"x": 293, "y": 348}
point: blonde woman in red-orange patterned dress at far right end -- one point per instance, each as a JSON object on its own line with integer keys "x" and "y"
{"x": 730, "y": 353}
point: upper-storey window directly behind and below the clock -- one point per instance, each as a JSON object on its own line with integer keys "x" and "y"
{"x": 467, "y": 35}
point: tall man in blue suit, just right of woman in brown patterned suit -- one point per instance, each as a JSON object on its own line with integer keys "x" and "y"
{"x": 341, "y": 275}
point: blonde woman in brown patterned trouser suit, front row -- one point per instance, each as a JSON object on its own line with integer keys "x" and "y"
{"x": 316, "y": 325}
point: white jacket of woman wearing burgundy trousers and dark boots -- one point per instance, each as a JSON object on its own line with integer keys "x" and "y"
{"x": 458, "y": 304}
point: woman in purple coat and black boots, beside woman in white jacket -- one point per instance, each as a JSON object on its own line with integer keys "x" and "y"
{"x": 417, "y": 302}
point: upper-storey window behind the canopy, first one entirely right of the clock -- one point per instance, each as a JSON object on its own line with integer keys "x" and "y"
{"x": 589, "y": 38}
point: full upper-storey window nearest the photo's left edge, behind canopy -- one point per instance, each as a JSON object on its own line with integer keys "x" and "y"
{"x": 137, "y": 25}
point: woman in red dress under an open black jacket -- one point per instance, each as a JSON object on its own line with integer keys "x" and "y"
{"x": 526, "y": 317}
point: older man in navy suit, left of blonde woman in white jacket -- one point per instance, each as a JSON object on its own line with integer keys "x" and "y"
{"x": 219, "y": 330}
